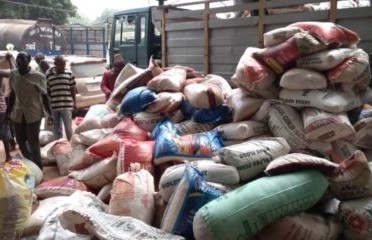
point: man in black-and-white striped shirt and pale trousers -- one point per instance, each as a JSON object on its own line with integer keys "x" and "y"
{"x": 62, "y": 90}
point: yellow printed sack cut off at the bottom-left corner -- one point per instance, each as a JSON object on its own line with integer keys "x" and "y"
{"x": 16, "y": 184}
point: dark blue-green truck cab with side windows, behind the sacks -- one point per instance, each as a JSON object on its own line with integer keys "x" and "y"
{"x": 135, "y": 37}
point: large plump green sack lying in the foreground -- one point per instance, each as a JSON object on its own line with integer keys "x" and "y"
{"x": 245, "y": 211}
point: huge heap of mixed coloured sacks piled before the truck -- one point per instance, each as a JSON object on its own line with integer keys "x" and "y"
{"x": 177, "y": 155}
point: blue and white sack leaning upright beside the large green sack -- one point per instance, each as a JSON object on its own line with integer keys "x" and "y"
{"x": 191, "y": 194}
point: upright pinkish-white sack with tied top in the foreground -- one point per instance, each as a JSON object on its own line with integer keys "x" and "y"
{"x": 132, "y": 195}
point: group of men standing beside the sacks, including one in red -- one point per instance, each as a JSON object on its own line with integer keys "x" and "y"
{"x": 44, "y": 89}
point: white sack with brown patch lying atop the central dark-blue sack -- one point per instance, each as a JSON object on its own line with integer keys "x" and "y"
{"x": 212, "y": 92}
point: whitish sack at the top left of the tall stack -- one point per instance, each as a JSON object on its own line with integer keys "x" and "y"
{"x": 279, "y": 35}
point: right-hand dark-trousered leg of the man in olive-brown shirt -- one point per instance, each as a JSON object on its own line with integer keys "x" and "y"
{"x": 33, "y": 131}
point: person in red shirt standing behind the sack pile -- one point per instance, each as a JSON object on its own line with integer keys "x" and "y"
{"x": 109, "y": 76}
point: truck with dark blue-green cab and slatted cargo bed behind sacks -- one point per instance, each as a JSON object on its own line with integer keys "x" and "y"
{"x": 211, "y": 38}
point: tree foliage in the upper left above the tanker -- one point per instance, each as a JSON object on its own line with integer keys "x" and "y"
{"x": 58, "y": 11}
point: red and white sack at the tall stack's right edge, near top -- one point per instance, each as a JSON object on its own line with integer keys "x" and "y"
{"x": 355, "y": 69}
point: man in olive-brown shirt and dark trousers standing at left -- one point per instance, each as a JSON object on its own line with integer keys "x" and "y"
{"x": 26, "y": 100}
